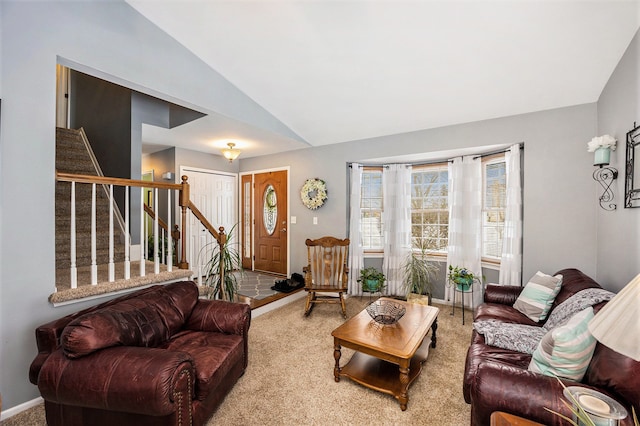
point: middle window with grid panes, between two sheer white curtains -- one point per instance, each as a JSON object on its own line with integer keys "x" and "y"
{"x": 430, "y": 208}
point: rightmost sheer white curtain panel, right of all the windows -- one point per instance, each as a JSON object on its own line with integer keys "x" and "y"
{"x": 511, "y": 262}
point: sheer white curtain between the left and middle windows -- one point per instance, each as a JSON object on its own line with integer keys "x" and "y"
{"x": 396, "y": 217}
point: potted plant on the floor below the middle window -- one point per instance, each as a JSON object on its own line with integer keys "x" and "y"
{"x": 418, "y": 275}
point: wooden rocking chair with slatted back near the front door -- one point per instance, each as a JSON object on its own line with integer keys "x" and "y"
{"x": 326, "y": 272}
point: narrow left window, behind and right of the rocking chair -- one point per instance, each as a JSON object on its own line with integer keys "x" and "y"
{"x": 371, "y": 209}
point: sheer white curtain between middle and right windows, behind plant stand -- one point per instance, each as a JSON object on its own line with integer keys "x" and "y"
{"x": 465, "y": 221}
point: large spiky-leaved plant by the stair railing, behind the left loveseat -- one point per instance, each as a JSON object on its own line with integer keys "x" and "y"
{"x": 222, "y": 282}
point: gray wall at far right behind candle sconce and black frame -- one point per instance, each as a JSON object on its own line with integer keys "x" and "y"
{"x": 618, "y": 241}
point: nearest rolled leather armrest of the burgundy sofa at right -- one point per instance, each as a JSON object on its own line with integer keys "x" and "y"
{"x": 502, "y": 387}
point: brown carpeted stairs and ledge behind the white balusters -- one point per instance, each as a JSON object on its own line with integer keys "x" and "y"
{"x": 74, "y": 155}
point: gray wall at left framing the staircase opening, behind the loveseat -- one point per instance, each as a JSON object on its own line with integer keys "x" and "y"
{"x": 109, "y": 40}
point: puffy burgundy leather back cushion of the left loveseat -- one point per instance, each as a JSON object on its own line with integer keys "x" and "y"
{"x": 148, "y": 320}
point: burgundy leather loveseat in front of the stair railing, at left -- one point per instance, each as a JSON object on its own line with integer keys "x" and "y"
{"x": 158, "y": 356}
